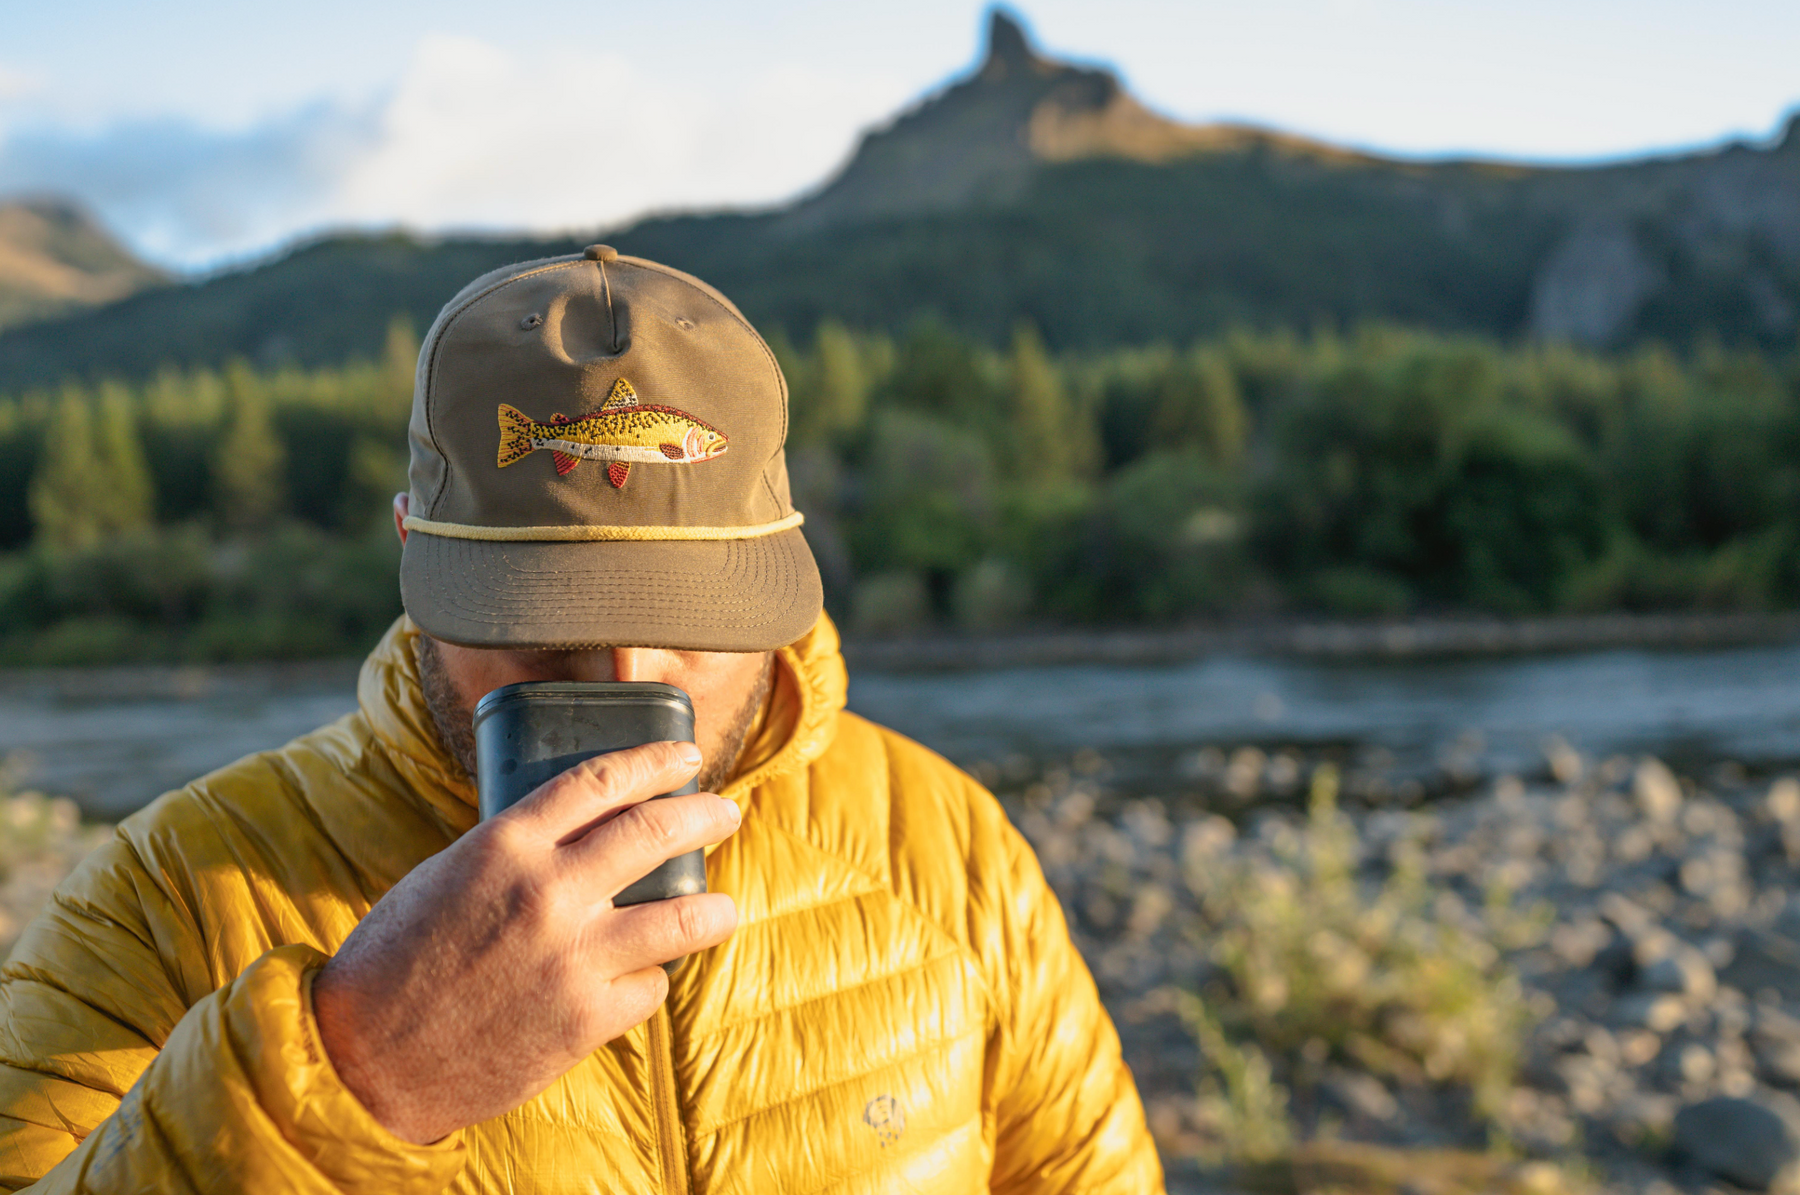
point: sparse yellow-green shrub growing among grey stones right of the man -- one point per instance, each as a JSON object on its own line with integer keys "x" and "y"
{"x": 1324, "y": 966}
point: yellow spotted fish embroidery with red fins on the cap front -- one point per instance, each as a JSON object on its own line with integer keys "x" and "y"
{"x": 622, "y": 433}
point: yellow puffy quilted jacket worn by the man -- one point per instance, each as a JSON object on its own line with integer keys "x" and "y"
{"x": 899, "y": 1011}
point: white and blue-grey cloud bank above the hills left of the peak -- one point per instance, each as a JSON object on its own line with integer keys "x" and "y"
{"x": 471, "y": 138}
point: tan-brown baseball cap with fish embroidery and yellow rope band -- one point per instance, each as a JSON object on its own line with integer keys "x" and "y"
{"x": 597, "y": 462}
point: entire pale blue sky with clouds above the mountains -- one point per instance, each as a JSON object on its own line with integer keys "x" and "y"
{"x": 206, "y": 132}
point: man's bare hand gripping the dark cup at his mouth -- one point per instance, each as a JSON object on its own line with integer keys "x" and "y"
{"x": 501, "y": 962}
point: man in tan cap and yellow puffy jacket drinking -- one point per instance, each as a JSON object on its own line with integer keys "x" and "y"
{"x": 316, "y": 973}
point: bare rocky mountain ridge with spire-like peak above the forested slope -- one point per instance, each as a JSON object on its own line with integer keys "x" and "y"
{"x": 1734, "y": 210}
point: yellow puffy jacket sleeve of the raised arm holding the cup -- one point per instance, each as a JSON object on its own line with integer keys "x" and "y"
{"x": 111, "y": 1083}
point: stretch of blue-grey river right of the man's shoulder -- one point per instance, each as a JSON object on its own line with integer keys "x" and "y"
{"x": 1727, "y": 705}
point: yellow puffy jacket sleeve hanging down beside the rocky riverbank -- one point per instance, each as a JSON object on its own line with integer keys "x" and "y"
{"x": 1066, "y": 1110}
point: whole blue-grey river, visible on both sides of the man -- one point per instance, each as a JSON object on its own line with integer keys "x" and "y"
{"x": 116, "y": 739}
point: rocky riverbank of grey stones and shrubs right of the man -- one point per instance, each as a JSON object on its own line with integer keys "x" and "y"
{"x": 1599, "y": 971}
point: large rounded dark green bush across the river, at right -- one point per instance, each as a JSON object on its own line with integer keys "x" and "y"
{"x": 1426, "y": 465}
